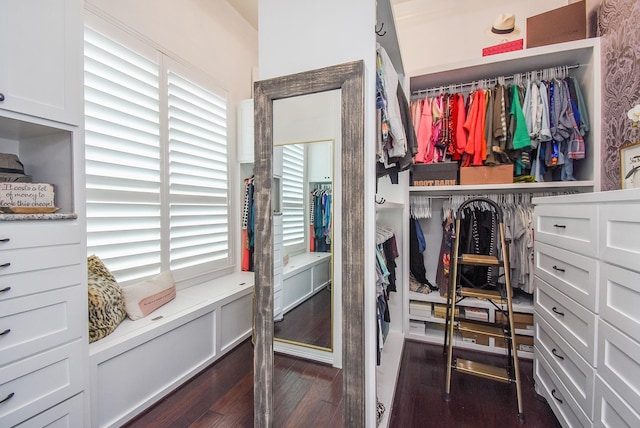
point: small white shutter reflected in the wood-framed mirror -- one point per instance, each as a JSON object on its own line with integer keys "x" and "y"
{"x": 293, "y": 212}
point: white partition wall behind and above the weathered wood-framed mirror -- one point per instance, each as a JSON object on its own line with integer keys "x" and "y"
{"x": 301, "y": 35}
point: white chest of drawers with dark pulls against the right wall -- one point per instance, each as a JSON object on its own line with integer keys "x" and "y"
{"x": 587, "y": 331}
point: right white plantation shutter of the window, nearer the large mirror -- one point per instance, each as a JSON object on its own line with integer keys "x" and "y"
{"x": 199, "y": 212}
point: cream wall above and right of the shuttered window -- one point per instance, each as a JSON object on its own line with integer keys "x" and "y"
{"x": 212, "y": 37}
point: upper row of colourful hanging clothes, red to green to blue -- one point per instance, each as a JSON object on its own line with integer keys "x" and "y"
{"x": 536, "y": 123}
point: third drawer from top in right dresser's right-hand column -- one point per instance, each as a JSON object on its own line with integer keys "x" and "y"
{"x": 619, "y": 363}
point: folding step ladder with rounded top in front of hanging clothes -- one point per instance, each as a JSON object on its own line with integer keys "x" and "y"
{"x": 500, "y": 297}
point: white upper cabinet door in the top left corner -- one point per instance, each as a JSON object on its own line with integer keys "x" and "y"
{"x": 41, "y": 58}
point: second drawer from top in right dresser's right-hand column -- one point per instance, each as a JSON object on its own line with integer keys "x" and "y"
{"x": 620, "y": 299}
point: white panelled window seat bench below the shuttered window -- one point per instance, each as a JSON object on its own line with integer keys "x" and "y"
{"x": 143, "y": 360}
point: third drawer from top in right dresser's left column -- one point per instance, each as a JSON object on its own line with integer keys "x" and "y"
{"x": 573, "y": 322}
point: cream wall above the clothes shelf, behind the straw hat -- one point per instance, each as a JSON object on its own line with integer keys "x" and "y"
{"x": 444, "y": 32}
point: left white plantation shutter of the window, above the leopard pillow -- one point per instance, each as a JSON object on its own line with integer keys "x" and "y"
{"x": 122, "y": 127}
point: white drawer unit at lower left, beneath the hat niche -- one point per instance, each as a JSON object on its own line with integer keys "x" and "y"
{"x": 43, "y": 316}
